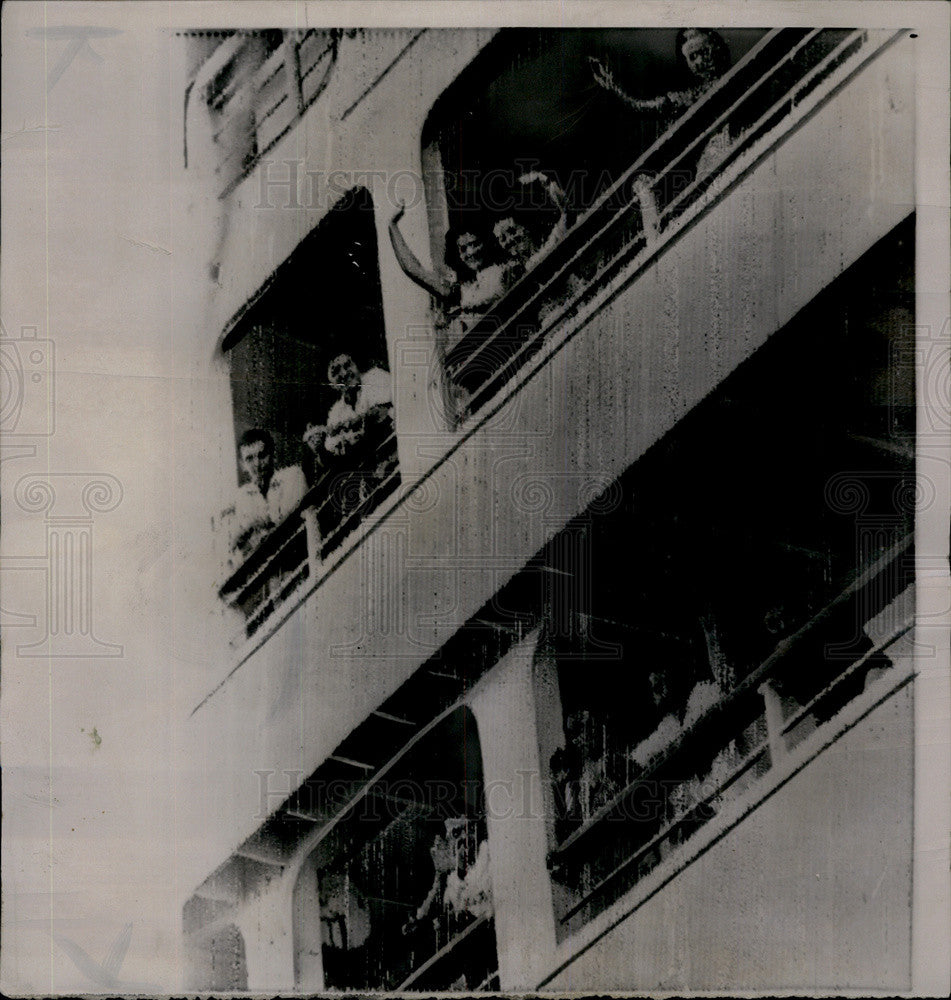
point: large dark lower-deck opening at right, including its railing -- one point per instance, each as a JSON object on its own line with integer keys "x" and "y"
{"x": 766, "y": 558}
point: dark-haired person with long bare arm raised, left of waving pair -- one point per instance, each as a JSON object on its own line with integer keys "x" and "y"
{"x": 475, "y": 278}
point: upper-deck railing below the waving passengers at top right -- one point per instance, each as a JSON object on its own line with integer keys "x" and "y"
{"x": 776, "y": 76}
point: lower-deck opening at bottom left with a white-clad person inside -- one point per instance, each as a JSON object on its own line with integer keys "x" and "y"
{"x": 402, "y": 883}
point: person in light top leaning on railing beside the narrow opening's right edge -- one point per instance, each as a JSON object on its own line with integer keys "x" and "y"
{"x": 358, "y": 425}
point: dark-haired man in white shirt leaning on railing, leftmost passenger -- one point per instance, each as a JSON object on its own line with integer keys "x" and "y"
{"x": 266, "y": 499}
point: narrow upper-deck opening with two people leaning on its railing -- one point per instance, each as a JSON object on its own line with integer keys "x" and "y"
{"x": 309, "y": 368}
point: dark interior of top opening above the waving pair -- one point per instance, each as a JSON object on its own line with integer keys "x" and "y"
{"x": 532, "y": 102}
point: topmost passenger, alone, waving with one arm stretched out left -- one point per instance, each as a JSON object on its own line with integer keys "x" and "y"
{"x": 705, "y": 57}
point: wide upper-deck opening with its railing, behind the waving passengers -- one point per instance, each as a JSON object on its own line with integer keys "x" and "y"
{"x": 627, "y": 167}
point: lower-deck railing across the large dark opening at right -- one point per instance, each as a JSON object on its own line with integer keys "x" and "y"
{"x": 748, "y": 732}
